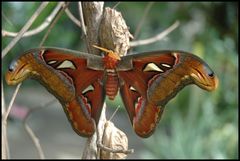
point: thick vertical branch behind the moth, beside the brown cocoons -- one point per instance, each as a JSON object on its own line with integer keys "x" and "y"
{"x": 91, "y": 13}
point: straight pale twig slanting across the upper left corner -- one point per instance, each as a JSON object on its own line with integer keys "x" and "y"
{"x": 24, "y": 29}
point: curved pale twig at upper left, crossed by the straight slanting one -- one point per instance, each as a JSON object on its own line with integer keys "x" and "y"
{"x": 40, "y": 28}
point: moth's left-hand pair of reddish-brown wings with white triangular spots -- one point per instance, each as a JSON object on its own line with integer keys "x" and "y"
{"x": 67, "y": 77}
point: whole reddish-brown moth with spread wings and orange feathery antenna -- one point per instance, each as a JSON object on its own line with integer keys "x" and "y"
{"x": 147, "y": 82}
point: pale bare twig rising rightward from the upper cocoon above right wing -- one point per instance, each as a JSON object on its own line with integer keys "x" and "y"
{"x": 155, "y": 38}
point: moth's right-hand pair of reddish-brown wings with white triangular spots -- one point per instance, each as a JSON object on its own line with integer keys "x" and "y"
{"x": 156, "y": 78}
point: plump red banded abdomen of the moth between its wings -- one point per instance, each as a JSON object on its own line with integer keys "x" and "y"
{"x": 111, "y": 84}
